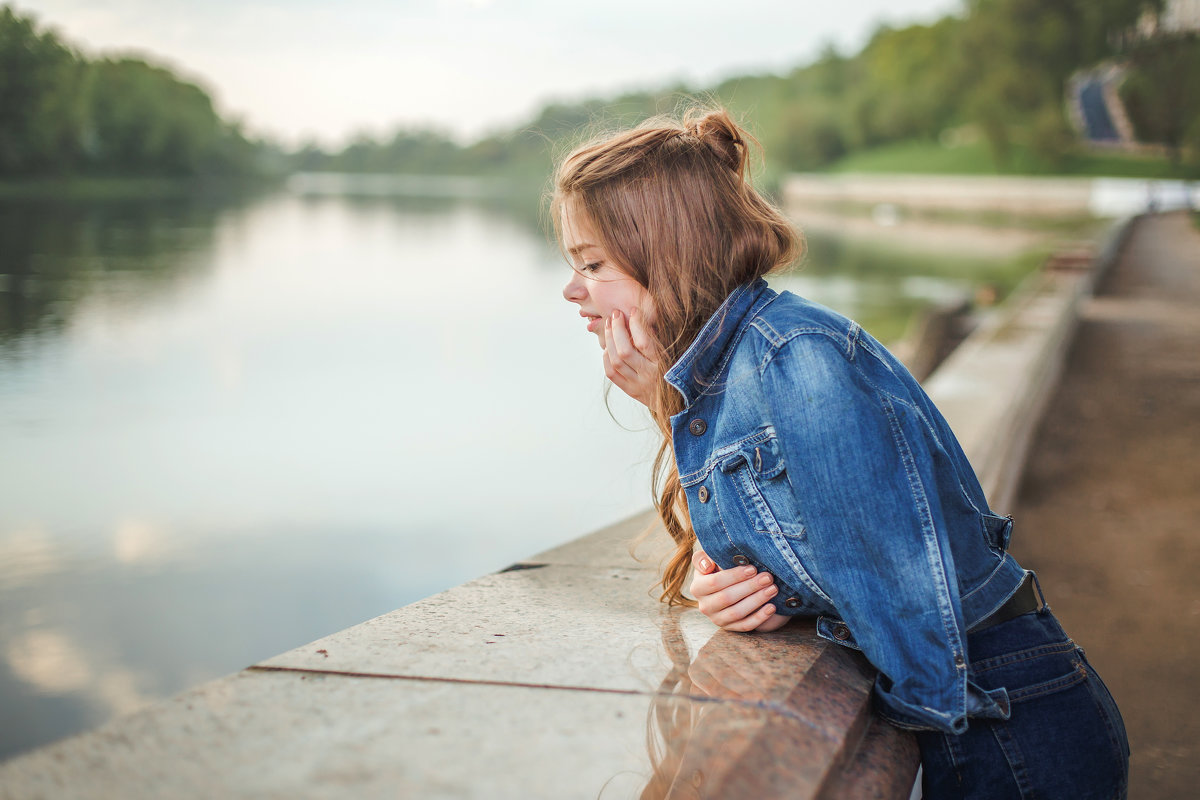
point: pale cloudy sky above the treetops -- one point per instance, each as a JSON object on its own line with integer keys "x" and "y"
{"x": 311, "y": 70}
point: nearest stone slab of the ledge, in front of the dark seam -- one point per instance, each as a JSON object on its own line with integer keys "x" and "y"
{"x": 290, "y": 735}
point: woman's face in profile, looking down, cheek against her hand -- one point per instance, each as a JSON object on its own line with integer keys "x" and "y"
{"x": 598, "y": 285}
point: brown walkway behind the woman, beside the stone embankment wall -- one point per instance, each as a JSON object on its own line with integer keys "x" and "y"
{"x": 1109, "y": 508}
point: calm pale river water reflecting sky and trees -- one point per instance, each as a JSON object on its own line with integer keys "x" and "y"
{"x": 227, "y": 430}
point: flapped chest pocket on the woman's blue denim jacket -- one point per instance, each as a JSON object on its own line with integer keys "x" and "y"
{"x": 757, "y": 477}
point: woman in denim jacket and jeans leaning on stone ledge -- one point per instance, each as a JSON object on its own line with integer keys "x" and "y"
{"x": 815, "y": 472}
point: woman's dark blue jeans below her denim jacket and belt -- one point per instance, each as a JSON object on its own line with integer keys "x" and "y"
{"x": 1065, "y": 738}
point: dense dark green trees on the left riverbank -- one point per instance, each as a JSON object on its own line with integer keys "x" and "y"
{"x": 65, "y": 115}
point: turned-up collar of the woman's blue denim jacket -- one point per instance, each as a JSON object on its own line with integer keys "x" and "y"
{"x": 701, "y": 364}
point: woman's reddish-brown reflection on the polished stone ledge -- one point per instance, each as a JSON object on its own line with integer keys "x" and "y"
{"x": 769, "y": 715}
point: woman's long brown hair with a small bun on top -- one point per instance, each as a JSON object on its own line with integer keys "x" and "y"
{"x": 675, "y": 208}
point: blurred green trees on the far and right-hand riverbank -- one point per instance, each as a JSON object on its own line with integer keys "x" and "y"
{"x": 997, "y": 74}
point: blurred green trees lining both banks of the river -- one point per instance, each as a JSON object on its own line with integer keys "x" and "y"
{"x": 994, "y": 74}
